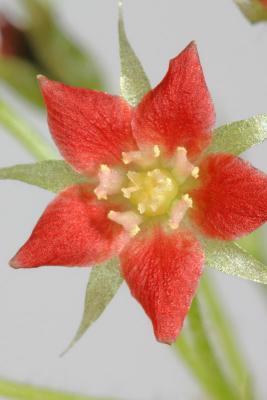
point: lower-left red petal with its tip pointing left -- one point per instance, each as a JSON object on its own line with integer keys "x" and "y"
{"x": 73, "y": 230}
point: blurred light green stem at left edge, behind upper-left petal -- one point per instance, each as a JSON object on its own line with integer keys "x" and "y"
{"x": 31, "y": 140}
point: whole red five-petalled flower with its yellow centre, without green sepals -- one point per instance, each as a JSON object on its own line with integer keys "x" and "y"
{"x": 154, "y": 189}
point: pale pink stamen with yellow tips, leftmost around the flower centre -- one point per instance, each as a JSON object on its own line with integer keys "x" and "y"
{"x": 110, "y": 182}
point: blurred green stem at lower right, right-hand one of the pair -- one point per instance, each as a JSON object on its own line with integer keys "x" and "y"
{"x": 221, "y": 326}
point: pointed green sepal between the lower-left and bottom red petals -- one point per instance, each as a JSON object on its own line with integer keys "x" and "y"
{"x": 104, "y": 282}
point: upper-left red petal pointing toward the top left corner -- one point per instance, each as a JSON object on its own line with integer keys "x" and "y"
{"x": 89, "y": 127}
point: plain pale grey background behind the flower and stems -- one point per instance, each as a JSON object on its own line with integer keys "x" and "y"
{"x": 40, "y": 309}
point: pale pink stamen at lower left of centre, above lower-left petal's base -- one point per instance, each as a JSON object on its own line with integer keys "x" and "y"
{"x": 128, "y": 219}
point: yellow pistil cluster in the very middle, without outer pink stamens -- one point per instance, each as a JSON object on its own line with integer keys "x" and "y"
{"x": 151, "y": 191}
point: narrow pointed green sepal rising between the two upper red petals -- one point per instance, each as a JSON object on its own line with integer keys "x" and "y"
{"x": 134, "y": 83}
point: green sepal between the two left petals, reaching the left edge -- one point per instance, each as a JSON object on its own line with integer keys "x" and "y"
{"x": 52, "y": 175}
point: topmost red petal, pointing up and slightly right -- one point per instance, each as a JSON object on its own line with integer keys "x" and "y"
{"x": 179, "y": 111}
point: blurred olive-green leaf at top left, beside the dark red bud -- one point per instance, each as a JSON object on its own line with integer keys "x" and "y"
{"x": 57, "y": 52}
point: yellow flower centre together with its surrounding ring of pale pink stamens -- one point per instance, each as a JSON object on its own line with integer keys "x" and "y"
{"x": 155, "y": 188}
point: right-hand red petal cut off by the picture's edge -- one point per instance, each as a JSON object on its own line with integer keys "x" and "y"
{"x": 232, "y": 198}
